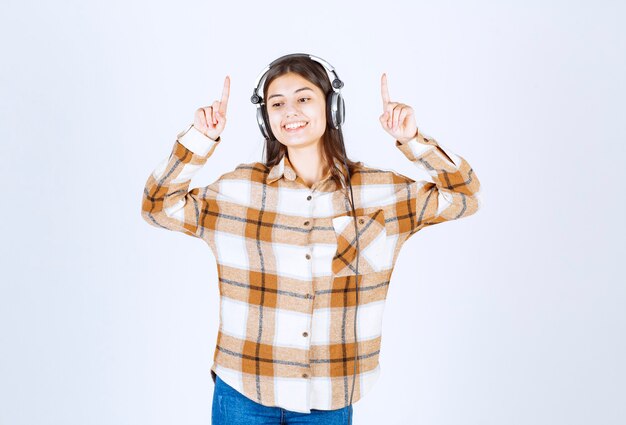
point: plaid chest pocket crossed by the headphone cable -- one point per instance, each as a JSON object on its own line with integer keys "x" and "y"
{"x": 372, "y": 243}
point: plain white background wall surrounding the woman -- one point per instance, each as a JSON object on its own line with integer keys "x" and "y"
{"x": 512, "y": 316}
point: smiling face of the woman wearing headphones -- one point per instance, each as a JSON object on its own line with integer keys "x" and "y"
{"x": 293, "y": 99}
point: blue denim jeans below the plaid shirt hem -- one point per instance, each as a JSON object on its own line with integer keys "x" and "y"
{"x": 233, "y": 408}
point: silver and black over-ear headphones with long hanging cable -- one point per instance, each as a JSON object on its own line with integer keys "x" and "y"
{"x": 335, "y": 114}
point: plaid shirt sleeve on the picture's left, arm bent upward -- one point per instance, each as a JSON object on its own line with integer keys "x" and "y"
{"x": 167, "y": 201}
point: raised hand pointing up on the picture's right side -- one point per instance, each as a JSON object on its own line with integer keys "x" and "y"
{"x": 397, "y": 119}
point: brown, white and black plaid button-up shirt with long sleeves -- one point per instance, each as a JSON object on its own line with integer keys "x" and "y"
{"x": 286, "y": 256}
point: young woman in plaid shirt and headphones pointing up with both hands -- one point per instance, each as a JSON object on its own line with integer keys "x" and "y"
{"x": 305, "y": 242}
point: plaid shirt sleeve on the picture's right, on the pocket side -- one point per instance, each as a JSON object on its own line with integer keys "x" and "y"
{"x": 451, "y": 195}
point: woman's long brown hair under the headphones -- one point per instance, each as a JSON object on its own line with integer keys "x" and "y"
{"x": 332, "y": 140}
